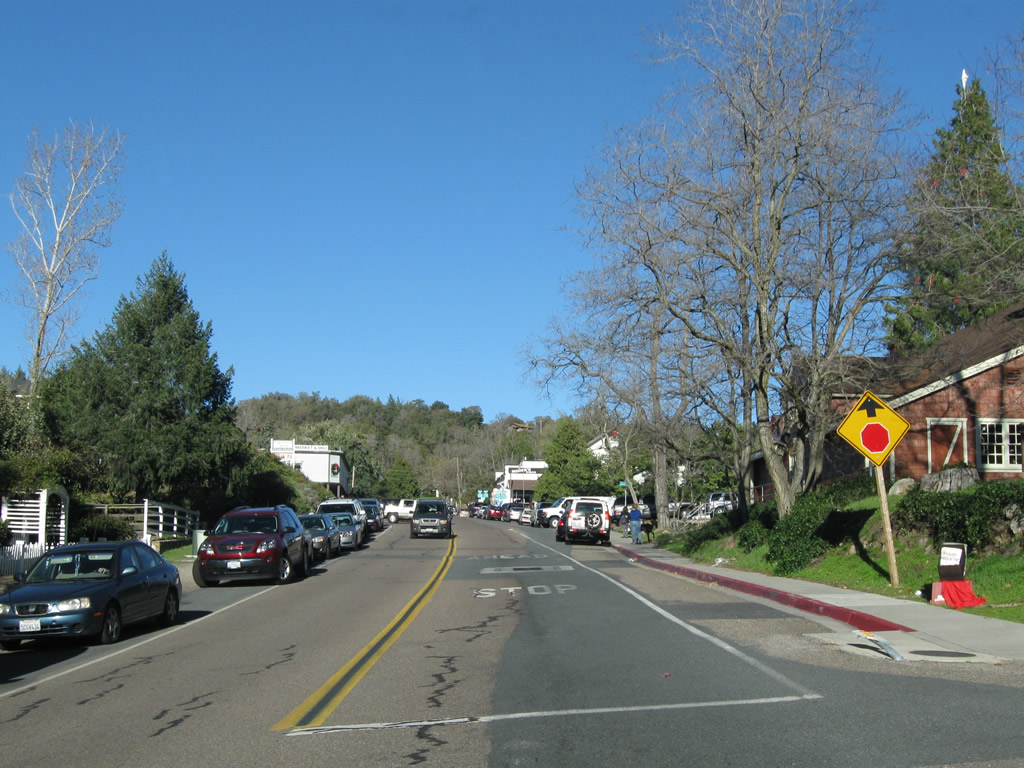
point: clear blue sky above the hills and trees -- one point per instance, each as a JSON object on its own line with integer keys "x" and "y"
{"x": 373, "y": 198}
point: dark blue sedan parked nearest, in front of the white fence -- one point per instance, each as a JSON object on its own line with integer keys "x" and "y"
{"x": 90, "y": 590}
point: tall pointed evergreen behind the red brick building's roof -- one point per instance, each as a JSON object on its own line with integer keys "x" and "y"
{"x": 965, "y": 258}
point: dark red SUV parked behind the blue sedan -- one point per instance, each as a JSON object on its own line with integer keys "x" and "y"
{"x": 254, "y": 543}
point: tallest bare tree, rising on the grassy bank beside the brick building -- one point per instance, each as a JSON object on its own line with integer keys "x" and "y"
{"x": 785, "y": 181}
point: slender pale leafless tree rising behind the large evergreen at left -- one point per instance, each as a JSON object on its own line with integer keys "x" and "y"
{"x": 67, "y": 203}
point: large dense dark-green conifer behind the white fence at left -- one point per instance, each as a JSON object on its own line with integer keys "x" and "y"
{"x": 148, "y": 400}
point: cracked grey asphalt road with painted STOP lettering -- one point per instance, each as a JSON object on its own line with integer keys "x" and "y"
{"x": 497, "y": 649}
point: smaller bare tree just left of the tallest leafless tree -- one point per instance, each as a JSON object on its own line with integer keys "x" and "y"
{"x": 621, "y": 344}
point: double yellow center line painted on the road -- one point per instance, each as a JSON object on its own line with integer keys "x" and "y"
{"x": 319, "y": 707}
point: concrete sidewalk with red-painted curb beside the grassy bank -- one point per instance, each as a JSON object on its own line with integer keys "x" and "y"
{"x": 914, "y": 629}
